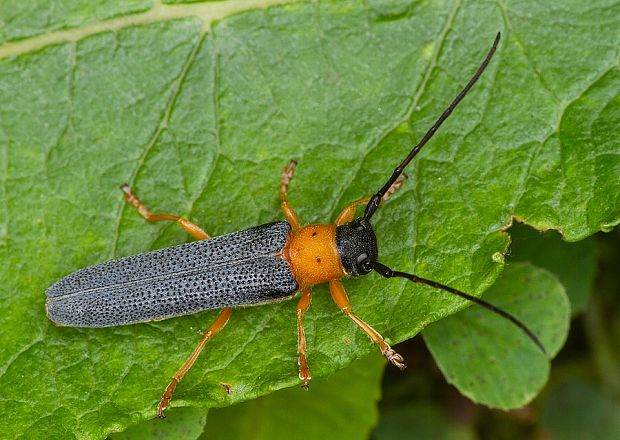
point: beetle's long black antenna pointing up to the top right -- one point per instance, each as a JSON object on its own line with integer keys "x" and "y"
{"x": 373, "y": 204}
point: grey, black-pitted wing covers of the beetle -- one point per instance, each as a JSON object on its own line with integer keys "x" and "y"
{"x": 242, "y": 268}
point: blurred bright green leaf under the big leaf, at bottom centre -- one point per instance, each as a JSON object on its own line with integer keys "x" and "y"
{"x": 342, "y": 405}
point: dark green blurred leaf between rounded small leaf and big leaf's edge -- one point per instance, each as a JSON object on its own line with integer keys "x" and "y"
{"x": 573, "y": 263}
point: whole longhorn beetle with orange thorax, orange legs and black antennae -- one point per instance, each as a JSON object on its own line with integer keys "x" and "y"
{"x": 260, "y": 265}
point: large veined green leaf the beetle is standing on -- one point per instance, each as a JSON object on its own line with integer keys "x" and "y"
{"x": 199, "y": 116}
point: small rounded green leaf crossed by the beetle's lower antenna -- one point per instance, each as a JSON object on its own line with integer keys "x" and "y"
{"x": 489, "y": 359}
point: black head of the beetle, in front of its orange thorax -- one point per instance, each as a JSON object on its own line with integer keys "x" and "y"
{"x": 357, "y": 245}
